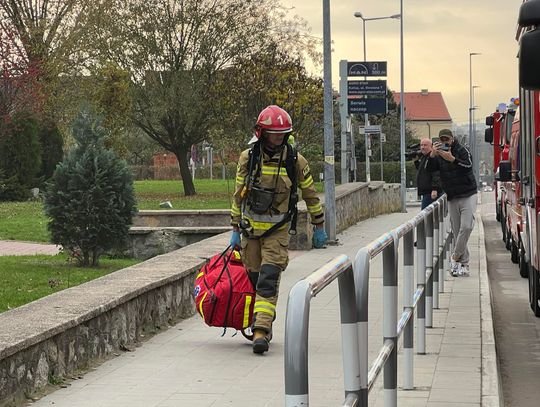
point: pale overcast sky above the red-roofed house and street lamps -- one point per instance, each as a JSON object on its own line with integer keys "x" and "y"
{"x": 438, "y": 37}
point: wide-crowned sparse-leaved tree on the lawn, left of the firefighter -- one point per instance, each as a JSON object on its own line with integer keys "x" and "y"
{"x": 176, "y": 53}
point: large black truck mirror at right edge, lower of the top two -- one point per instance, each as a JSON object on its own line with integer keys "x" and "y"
{"x": 529, "y": 60}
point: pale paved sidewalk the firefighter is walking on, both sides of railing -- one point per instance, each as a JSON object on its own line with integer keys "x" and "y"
{"x": 194, "y": 365}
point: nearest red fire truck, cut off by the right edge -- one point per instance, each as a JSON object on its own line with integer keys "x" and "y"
{"x": 527, "y": 173}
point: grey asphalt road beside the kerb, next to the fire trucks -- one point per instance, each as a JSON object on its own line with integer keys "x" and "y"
{"x": 517, "y": 330}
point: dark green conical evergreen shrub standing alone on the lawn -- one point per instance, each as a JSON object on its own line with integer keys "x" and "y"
{"x": 90, "y": 197}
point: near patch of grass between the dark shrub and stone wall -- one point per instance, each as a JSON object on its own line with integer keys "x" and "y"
{"x": 27, "y": 278}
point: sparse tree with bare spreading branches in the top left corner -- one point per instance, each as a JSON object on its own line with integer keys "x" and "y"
{"x": 57, "y": 38}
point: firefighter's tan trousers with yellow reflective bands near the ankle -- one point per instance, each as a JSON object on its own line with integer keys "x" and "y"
{"x": 265, "y": 259}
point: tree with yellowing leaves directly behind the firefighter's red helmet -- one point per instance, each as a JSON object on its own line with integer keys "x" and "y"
{"x": 272, "y": 76}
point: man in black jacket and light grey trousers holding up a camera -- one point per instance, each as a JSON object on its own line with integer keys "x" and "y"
{"x": 455, "y": 165}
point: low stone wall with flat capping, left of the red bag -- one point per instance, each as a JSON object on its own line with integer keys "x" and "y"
{"x": 51, "y": 338}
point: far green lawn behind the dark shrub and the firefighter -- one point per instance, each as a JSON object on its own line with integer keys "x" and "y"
{"x": 26, "y": 221}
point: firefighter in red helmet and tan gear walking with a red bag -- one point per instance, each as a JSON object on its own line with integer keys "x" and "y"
{"x": 263, "y": 212}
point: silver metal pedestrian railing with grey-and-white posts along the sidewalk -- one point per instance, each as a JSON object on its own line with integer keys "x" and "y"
{"x": 433, "y": 241}
